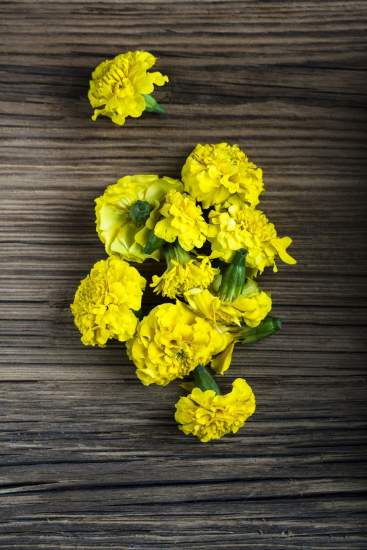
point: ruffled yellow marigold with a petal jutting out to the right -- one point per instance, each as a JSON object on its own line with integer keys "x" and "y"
{"x": 235, "y": 226}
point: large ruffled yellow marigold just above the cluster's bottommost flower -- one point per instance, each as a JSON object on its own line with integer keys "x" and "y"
{"x": 171, "y": 341}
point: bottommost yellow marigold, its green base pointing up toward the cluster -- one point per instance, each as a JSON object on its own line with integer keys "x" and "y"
{"x": 208, "y": 415}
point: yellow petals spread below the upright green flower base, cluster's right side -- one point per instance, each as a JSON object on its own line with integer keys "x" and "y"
{"x": 251, "y": 307}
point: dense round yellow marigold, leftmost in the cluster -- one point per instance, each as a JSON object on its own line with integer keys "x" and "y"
{"x": 104, "y": 301}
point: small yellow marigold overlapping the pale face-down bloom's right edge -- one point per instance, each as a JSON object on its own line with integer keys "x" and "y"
{"x": 182, "y": 220}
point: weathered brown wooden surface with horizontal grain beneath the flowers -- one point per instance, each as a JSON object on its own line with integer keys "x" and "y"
{"x": 89, "y": 457}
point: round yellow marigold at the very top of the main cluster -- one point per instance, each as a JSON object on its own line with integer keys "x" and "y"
{"x": 212, "y": 173}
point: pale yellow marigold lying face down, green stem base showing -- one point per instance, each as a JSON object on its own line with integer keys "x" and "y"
{"x": 119, "y": 227}
